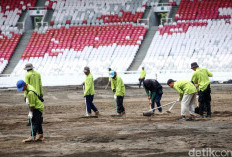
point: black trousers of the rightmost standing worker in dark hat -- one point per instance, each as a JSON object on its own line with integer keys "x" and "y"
{"x": 204, "y": 101}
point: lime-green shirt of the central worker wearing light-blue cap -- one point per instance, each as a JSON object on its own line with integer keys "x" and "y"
{"x": 118, "y": 85}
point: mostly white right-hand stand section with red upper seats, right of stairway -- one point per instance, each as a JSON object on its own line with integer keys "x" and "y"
{"x": 202, "y": 32}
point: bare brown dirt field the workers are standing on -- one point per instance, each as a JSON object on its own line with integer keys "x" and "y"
{"x": 67, "y": 134}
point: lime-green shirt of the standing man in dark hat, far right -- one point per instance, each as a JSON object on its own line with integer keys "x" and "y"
{"x": 201, "y": 76}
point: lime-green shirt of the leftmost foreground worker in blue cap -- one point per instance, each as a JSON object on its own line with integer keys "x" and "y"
{"x": 33, "y": 98}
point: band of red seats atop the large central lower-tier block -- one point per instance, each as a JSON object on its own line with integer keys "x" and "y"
{"x": 78, "y": 37}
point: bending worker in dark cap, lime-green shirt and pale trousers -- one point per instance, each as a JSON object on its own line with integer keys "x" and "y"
{"x": 187, "y": 95}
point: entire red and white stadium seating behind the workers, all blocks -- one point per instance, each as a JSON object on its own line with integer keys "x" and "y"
{"x": 106, "y": 33}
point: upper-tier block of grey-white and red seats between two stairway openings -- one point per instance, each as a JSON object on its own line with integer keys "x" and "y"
{"x": 95, "y": 12}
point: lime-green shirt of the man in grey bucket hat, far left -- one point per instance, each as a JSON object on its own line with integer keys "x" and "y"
{"x": 33, "y": 78}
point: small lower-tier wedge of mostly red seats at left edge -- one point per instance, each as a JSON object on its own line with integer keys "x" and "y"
{"x": 8, "y": 43}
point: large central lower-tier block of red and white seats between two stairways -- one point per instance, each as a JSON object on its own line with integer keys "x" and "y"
{"x": 67, "y": 50}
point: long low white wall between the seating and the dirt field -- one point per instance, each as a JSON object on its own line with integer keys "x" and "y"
{"x": 129, "y": 78}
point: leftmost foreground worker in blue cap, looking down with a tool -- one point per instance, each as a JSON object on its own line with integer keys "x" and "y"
{"x": 36, "y": 110}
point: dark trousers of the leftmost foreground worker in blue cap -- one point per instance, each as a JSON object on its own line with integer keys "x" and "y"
{"x": 37, "y": 121}
